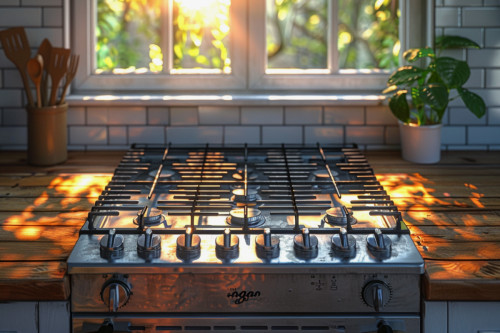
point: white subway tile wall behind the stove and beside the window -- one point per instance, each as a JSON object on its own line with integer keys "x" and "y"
{"x": 116, "y": 125}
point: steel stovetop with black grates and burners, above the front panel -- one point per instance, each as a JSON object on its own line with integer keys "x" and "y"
{"x": 285, "y": 192}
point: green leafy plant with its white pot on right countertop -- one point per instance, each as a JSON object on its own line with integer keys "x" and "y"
{"x": 429, "y": 88}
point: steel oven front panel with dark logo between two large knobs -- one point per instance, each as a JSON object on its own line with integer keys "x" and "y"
{"x": 249, "y": 293}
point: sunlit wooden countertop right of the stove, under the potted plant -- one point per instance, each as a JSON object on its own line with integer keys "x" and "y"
{"x": 452, "y": 209}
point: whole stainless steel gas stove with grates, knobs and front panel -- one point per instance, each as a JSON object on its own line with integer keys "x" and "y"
{"x": 245, "y": 238}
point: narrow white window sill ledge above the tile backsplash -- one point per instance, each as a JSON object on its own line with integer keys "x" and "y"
{"x": 225, "y": 99}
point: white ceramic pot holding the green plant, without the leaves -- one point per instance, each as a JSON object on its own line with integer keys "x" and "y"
{"x": 420, "y": 144}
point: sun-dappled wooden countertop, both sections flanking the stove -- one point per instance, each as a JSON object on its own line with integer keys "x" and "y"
{"x": 452, "y": 209}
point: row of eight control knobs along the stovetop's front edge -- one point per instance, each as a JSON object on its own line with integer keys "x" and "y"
{"x": 227, "y": 245}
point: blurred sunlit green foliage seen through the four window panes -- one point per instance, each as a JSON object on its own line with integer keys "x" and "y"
{"x": 130, "y": 34}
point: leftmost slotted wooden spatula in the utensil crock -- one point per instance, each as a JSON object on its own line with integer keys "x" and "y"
{"x": 16, "y": 47}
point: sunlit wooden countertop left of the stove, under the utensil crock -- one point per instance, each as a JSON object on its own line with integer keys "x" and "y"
{"x": 41, "y": 211}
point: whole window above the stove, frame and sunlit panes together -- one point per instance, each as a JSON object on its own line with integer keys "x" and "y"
{"x": 240, "y": 45}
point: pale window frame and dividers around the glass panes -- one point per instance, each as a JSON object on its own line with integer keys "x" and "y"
{"x": 248, "y": 74}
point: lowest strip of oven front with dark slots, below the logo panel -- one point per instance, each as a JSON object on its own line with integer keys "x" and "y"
{"x": 221, "y": 323}
